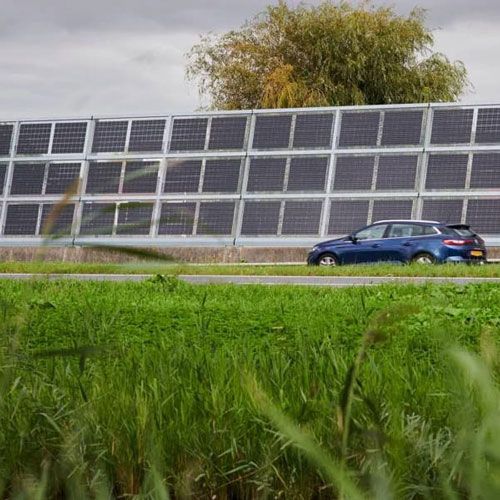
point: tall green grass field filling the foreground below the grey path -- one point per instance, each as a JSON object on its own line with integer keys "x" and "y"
{"x": 161, "y": 388}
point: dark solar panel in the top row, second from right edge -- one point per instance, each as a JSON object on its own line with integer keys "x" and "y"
{"x": 451, "y": 126}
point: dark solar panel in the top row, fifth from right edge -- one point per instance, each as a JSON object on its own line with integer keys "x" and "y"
{"x": 313, "y": 131}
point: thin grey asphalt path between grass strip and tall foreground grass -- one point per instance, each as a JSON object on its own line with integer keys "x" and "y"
{"x": 332, "y": 281}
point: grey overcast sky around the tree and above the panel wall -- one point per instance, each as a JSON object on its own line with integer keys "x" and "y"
{"x": 82, "y": 57}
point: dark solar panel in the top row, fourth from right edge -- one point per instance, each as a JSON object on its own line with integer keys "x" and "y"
{"x": 359, "y": 128}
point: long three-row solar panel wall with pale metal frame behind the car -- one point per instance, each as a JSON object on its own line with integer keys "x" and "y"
{"x": 250, "y": 176}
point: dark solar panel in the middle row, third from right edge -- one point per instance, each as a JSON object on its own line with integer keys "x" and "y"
{"x": 396, "y": 172}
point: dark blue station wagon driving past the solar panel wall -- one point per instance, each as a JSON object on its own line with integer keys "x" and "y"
{"x": 425, "y": 242}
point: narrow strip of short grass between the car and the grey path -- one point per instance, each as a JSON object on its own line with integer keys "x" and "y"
{"x": 448, "y": 270}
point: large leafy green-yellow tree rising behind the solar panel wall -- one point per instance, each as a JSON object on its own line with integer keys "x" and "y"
{"x": 330, "y": 54}
